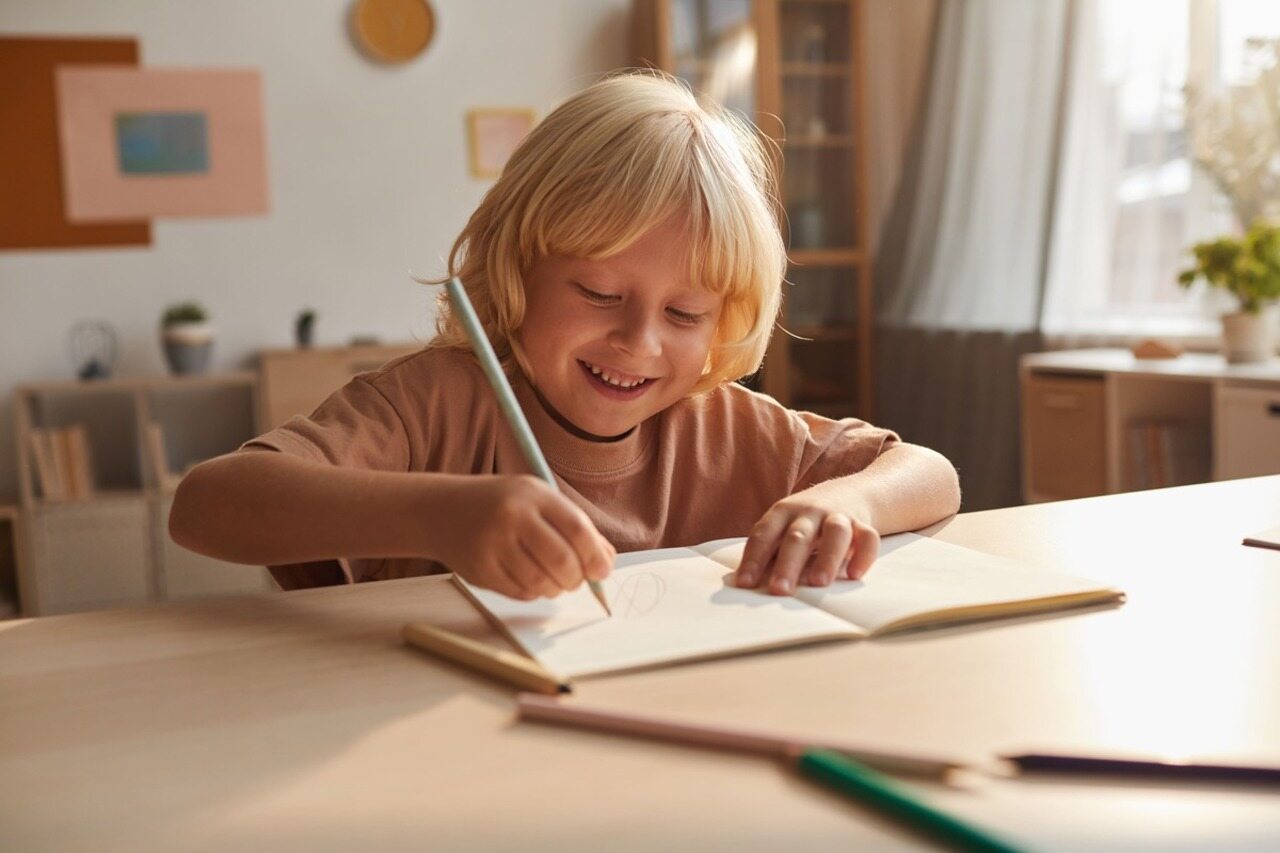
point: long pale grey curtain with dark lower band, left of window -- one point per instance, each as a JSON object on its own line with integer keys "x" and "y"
{"x": 963, "y": 259}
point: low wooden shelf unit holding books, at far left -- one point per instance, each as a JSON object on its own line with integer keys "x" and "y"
{"x": 106, "y": 542}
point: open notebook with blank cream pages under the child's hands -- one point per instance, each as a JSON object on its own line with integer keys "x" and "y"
{"x": 679, "y": 605}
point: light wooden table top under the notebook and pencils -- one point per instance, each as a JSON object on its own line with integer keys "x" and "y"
{"x": 300, "y": 722}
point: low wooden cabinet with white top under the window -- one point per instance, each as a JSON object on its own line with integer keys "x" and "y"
{"x": 1099, "y": 422}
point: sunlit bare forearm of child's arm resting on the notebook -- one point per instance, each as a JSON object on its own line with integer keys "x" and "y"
{"x": 908, "y": 487}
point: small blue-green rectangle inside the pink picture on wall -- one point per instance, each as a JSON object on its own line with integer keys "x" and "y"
{"x": 162, "y": 143}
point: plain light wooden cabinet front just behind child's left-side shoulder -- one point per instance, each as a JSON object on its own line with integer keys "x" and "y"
{"x": 294, "y": 382}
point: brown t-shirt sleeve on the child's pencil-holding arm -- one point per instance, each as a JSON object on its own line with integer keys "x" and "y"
{"x": 356, "y": 427}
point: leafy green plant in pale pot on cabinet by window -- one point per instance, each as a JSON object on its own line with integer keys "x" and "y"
{"x": 1249, "y": 268}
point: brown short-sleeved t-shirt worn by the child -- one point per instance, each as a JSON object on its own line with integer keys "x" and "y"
{"x": 703, "y": 469}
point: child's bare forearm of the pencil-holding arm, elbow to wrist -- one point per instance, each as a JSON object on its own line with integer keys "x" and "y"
{"x": 273, "y": 509}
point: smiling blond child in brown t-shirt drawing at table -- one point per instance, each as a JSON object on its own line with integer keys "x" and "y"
{"x": 628, "y": 268}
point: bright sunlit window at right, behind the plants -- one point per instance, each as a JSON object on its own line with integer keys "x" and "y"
{"x": 1131, "y": 200}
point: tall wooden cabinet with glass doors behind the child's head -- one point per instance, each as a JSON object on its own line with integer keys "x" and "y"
{"x": 797, "y": 70}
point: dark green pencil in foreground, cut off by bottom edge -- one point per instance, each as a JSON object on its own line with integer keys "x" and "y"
{"x": 890, "y": 799}
